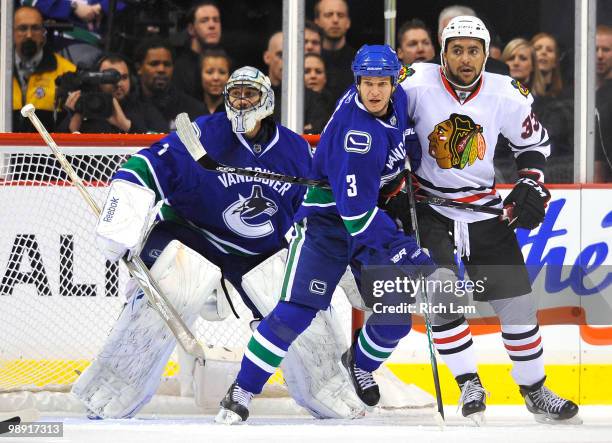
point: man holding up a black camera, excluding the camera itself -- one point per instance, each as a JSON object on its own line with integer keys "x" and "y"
{"x": 126, "y": 114}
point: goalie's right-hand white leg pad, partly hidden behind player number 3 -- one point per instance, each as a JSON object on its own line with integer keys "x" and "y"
{"x": 312, "y": 369}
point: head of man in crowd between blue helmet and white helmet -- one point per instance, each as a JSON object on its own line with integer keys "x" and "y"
{"x": 414, "y": 42}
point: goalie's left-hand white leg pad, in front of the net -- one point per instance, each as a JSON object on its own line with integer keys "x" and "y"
{"x": 126, "y": 373}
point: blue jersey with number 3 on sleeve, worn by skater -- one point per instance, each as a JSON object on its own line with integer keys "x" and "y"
{"x": 357, "y": 155}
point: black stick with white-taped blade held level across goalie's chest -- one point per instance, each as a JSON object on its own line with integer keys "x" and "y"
{"x": 189, "y": 138}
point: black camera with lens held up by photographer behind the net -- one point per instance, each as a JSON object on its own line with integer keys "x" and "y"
{"x": 93, "y": 104}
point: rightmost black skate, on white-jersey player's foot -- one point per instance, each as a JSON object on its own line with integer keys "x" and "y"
{"x": 548, "y": 407}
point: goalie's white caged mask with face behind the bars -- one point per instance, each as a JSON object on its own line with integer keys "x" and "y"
{"x": 249, "y": 98}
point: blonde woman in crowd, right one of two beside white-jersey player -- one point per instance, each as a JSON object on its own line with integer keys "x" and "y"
{"x": 547, "y": 57}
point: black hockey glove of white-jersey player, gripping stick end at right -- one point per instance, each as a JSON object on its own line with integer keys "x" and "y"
{"x": 527, "y": 203}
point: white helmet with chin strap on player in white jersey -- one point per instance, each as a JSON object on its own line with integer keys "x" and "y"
{"x": 465, "y": 26}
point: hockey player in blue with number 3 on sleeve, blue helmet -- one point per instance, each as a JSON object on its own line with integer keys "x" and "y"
{"x": 362, "y": 151}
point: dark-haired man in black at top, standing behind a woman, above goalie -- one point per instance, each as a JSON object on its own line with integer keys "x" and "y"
{"x": 204, "y": 29}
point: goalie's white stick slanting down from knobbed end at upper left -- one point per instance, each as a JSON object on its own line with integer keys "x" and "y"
{"x": 135, "y": 266}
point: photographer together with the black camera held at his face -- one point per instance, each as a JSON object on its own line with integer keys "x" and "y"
{"x": 109, "y": 107}
